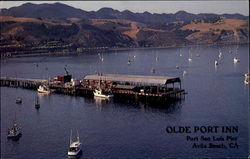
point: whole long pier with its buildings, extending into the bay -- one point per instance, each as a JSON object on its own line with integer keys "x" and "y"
{"x": 136, "y": 87}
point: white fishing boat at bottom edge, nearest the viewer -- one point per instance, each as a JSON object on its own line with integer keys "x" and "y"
{"x": 75, "y": 146}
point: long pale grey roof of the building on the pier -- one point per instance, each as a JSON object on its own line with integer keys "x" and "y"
{"x": 152, "y": 80}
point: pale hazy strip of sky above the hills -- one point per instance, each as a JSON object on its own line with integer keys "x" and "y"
{"x": 219, "y": 7}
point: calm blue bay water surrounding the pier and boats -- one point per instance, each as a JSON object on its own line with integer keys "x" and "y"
{"x": 111, "y": 129}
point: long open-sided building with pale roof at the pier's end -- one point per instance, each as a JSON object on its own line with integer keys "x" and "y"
{"x": 135, "y": 85}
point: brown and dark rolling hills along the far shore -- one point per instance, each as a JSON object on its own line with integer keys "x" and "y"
{"x": 58, "y": 27}
